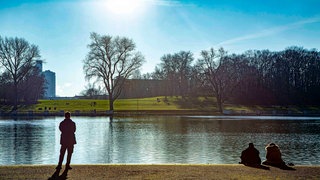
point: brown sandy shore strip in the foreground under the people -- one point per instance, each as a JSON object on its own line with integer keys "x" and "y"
{"x": 166, "y": 171}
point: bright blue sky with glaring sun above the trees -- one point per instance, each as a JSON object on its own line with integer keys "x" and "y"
{"x": 61, "y": 28}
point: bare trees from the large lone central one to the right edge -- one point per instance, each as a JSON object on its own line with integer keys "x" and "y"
{"x": 288, "y": 77}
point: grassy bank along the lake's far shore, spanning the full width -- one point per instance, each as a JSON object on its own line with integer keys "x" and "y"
{"x": 157, "y": 105}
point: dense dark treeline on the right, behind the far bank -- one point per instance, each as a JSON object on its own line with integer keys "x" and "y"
{"x": 288, "y": 77}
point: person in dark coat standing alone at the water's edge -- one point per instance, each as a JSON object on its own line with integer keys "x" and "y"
{"x": 67, "y": 139}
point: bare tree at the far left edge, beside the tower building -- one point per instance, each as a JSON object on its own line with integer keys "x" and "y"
{"x": 17, "y": 57}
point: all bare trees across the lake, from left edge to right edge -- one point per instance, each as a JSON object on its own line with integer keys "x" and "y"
{"x": 261, "y": 77}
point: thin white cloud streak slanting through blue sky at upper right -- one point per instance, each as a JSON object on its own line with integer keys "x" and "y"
{"x": 270, "y": 31}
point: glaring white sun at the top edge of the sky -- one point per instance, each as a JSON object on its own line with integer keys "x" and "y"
{"x": 125, "y": 7}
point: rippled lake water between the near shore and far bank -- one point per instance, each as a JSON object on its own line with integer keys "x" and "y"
{"x": 160, "y": 139}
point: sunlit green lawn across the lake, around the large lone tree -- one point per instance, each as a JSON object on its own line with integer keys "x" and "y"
{"x": 153, "y": 103}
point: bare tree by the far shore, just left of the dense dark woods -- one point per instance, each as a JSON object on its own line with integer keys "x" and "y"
{"x": 218, "y": 74}
